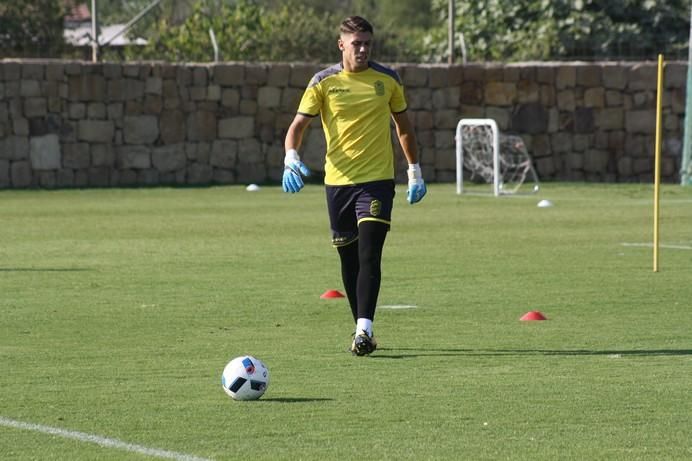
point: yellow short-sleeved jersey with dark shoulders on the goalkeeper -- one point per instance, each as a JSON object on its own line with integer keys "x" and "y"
{"x": 356, "y": 109}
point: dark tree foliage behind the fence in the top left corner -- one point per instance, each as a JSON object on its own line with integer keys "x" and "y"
{"x": 32, "y": 28}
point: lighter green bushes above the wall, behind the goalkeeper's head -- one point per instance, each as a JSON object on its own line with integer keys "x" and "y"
{"x": 287, "y": 30}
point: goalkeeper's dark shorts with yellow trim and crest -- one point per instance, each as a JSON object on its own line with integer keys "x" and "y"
{"x": 350, "y": 205}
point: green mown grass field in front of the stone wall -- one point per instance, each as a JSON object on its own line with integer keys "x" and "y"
{"x": 120, "y": 308}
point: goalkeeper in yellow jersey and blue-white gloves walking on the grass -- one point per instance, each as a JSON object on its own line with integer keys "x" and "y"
{"x": 356, "y": 100}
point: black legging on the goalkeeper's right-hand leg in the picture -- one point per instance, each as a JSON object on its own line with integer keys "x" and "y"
{"x": 370, "y": 243}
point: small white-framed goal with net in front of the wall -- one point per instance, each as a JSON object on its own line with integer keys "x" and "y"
{"x": 492, "y": 157}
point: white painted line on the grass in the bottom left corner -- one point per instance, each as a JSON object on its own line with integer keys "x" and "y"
{"x": 98, "y": 440}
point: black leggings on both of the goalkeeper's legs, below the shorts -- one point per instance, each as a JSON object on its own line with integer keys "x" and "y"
{"x": 361, "y": 268}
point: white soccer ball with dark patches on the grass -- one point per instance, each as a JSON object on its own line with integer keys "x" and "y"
{"x": 245, "y": 378}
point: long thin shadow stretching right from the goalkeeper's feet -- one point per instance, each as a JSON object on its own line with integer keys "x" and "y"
{"x": 404, "y": 353}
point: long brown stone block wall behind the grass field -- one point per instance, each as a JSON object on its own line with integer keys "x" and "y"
{"x": 78, "y": 124}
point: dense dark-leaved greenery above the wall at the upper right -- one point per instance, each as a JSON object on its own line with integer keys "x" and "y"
{"x": 516, "y": 30}
